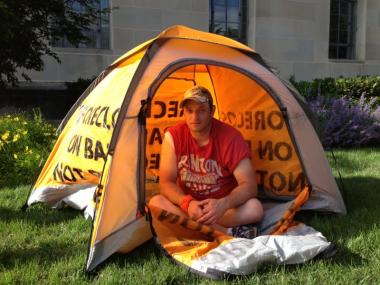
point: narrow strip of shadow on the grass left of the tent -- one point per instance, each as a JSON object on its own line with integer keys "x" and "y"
{"x": 39, "y": 215}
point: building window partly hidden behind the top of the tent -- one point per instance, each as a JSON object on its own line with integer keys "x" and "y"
{"x": 229, "y": 18}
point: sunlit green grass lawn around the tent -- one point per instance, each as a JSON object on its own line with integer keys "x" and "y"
{"x": 48, "y": 246}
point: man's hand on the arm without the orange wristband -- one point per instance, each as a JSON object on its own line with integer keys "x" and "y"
{"x": 212, "y": 210}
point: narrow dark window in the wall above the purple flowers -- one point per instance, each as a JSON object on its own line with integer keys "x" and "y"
{"x": 342, "y": 29}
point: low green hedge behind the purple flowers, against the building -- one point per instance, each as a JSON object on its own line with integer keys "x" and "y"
{"x": 354, "y": 87}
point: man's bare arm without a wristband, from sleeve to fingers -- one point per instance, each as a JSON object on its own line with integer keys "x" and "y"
{"x": 213, "y": 209}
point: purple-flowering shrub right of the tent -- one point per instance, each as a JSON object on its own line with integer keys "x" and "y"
{"x": 346, "y": 123}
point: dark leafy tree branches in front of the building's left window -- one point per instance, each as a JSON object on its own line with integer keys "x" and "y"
{"x": 29, "y": 27}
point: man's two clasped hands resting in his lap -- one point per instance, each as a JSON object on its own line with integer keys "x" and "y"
{"x": 207, "y": 211}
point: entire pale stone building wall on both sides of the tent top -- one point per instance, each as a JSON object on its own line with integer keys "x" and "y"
{"x": 292, "y": 35}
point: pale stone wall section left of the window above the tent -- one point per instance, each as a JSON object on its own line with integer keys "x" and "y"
{"x": 132, "y": 22}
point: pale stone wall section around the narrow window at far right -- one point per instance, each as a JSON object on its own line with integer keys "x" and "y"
{"x": 293, "y": 36}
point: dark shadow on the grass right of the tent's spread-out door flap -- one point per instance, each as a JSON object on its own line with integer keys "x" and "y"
{"x": 361, "y": 197}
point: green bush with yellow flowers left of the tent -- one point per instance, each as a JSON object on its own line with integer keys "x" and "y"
{"x": 25, "y": 140}
